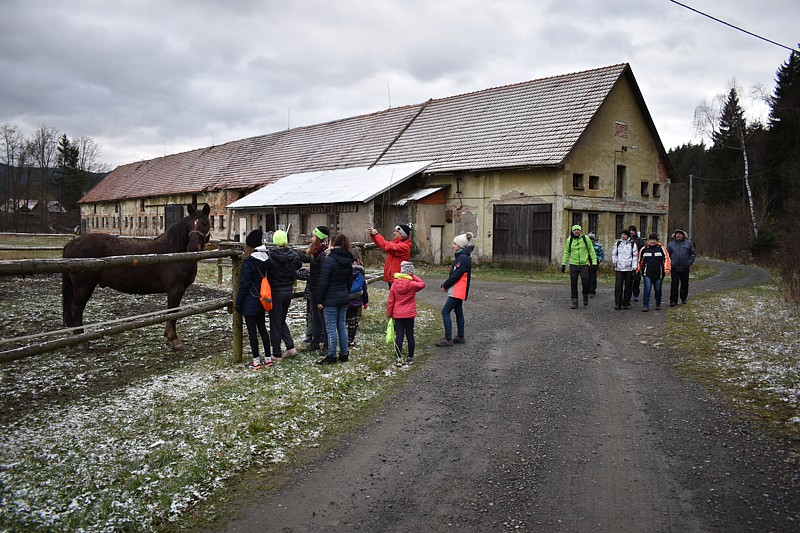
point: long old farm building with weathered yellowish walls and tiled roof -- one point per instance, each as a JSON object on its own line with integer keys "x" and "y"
{"x": 515, "y": 165}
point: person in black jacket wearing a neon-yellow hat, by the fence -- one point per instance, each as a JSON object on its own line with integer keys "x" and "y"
{"x": 282, "y": 273}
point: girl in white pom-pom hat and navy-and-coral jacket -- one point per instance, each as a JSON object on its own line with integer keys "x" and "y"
{"x": 457, "y": 288}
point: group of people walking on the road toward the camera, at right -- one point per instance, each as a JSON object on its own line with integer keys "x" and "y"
{"x": 635, "y": 261}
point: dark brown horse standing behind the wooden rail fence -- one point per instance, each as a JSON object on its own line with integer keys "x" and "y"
{"x": 191, "y": 234}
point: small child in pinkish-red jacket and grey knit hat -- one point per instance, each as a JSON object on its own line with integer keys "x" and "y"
{"x": 402, "y": 307}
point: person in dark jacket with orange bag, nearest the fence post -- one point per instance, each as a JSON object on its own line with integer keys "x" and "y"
{"x": 254, "y": 268}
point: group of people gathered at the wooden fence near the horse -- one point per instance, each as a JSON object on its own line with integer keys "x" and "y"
{"x": 336, "y": 292}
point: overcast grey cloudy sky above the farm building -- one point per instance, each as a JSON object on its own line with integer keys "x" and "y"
{"x": 146, "y": 78}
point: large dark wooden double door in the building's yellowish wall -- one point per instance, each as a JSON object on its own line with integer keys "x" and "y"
{"x": 522, "y": 233}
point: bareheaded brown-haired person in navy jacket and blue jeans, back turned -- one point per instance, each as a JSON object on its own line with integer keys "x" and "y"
{"x": 333, "y": 295}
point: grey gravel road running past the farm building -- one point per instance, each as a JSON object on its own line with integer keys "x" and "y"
{"x": 548, "y": 419}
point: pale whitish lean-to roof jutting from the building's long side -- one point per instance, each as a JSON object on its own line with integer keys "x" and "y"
{"x": 327, "y": 186}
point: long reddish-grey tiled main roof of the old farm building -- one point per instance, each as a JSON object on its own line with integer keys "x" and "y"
{"x": 535, "y": 123}
